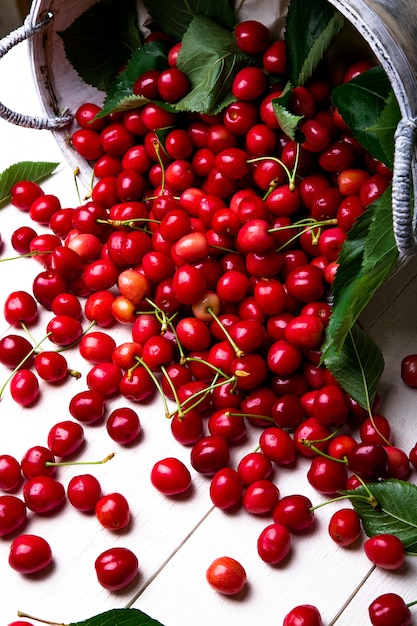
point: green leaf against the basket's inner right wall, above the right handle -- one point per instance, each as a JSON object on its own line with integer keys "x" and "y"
{"x": 368, "y": 106}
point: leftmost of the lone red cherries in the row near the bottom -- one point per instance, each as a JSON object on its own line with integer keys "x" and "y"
{"x": 29, "y": 554}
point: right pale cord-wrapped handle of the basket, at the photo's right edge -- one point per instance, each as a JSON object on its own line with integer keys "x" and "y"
{"x": 404, "y": 221}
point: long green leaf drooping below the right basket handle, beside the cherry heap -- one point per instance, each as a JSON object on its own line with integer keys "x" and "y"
{"x": 369, "y": 256}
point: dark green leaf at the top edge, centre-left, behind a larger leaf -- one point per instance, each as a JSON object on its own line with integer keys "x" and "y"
{"x": 175, "y": 17}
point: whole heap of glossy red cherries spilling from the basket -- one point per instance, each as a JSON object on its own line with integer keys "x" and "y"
{"x": 213, "y": 242}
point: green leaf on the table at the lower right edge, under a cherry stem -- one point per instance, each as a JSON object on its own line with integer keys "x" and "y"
{"x": 396, "y": 512}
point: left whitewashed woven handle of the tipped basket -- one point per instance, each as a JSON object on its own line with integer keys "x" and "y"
{"x": 22, "y": 33}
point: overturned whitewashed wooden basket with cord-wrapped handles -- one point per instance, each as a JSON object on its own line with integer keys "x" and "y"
{"x": 389, "y": 28}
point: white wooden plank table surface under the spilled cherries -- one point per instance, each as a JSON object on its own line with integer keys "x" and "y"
{"x": 176, "y": 539}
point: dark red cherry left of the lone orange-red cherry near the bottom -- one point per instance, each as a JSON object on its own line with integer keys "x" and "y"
{"x": 116, "y": 568}
